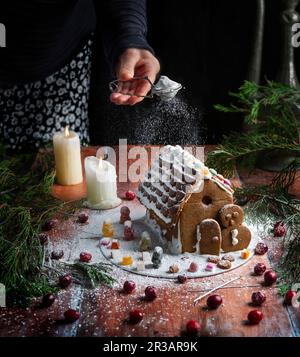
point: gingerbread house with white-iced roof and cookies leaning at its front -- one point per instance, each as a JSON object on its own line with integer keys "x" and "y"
{"x": 192, "y": 205}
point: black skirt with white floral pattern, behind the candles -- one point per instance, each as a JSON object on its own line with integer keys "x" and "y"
{"x": 31, "y": 113}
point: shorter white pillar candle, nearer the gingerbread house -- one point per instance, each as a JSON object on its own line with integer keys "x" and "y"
{"x": 101, "y": 181}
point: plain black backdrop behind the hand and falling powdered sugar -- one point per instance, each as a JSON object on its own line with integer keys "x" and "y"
{"x": 206, "y": 46}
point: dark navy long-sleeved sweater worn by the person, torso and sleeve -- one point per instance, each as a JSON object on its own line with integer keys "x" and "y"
{"x": 43, "y": 35}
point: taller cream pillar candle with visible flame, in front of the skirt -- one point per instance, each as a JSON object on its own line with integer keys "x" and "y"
{"x": 67, "y": 157}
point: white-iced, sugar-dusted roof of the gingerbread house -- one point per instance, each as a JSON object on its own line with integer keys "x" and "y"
{"x": 173, "y": 177}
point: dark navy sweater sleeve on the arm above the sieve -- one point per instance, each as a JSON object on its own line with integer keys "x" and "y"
{"x": 124, "y": 24}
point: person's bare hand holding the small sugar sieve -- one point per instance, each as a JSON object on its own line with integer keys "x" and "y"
{"x": 135, "y": 63}
